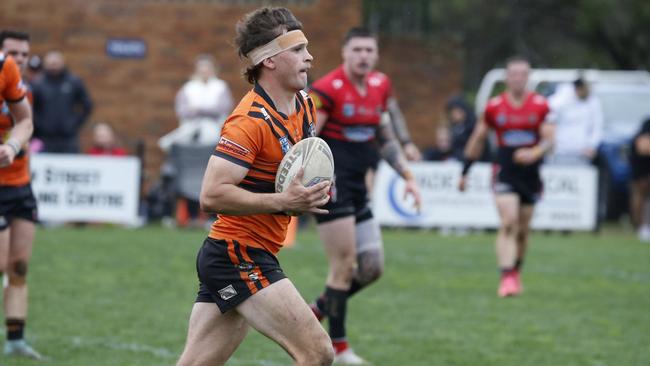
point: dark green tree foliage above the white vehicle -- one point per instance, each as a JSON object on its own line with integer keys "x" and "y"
{"x": 607, "y": 34}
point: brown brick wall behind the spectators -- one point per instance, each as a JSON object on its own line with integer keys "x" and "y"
{"x": 136, "y": 96}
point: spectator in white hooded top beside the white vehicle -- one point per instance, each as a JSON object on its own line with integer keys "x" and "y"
{"x": 578, "y": 115}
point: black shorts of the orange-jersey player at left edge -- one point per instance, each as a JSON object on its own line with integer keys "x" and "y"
{"x": 17, "y": 202}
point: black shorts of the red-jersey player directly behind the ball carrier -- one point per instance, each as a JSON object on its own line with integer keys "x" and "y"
{"x": 348, "y": 196}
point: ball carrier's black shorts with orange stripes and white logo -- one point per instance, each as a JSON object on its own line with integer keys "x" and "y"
{"x": 229, "y": 272}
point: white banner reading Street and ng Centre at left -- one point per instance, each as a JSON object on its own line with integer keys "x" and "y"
{"x": 85, "y": 188}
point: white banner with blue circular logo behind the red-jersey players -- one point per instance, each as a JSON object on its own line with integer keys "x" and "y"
{"x": 568, "y": 201}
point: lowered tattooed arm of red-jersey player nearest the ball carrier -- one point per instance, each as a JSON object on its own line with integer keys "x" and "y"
{"x": 391, "y": 151}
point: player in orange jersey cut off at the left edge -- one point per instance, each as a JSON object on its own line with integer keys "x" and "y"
{"x": 17, "y": 202}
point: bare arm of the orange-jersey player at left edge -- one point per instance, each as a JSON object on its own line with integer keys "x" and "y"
{"x": 20, "y": 133}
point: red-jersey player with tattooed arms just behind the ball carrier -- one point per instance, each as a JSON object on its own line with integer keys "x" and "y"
{"x": 351, "y": 101}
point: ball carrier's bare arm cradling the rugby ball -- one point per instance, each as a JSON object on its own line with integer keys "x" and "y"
{"x": 220, "y": 193}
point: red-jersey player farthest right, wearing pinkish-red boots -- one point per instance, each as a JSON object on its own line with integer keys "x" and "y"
{"x": 524, "y": 136}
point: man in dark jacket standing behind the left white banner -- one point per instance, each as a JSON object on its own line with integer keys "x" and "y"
{"x": 61, "y": 106}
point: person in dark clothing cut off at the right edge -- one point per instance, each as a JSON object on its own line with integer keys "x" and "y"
{"x": 640, "y": 164}
